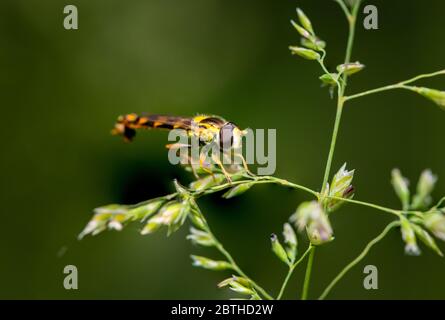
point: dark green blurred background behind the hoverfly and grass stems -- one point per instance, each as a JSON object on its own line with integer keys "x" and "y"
{"x": 62, "y": 90}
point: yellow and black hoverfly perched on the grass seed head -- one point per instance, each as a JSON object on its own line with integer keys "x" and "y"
{"x": 207, "y": 129}
